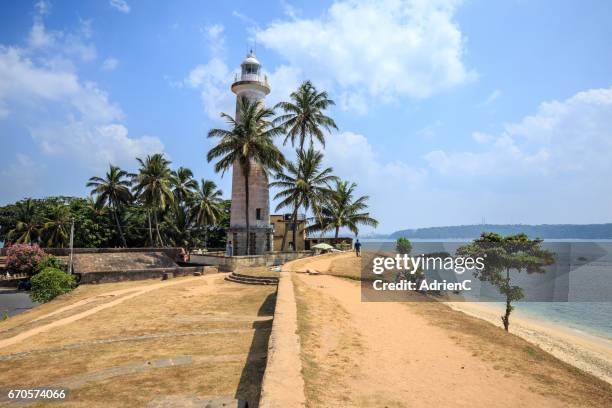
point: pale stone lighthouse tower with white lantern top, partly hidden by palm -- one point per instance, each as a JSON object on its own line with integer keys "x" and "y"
{"x": 253, "y": 85}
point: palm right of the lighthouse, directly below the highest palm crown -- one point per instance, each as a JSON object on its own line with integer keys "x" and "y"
{"x": 303, "y": 183}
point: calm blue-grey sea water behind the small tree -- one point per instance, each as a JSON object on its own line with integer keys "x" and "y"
{"x": 575, "y": 293}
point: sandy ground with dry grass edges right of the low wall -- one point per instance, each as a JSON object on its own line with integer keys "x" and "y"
{"x": 423, "y": 354}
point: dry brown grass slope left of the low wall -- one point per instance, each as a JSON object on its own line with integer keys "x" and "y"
{"x": 219, "y": 328}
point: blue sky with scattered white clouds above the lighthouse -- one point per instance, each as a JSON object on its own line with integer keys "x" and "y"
{"x": 449, "y": 111}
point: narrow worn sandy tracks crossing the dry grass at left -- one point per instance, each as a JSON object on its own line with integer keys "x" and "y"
{"x": 128, "y": 294}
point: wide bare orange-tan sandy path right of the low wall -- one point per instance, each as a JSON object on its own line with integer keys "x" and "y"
{"x": 415, "y": 363}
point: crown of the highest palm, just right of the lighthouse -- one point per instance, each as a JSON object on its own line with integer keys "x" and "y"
{"x": 304, "y": 115}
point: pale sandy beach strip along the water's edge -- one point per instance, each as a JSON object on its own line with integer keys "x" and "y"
{"x": 583, "y": 350}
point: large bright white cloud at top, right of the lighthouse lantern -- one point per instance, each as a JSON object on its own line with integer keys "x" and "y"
{"x": 382, "y": 49}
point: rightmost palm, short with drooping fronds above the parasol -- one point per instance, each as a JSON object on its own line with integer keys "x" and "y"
{"x": 341, "y": 210}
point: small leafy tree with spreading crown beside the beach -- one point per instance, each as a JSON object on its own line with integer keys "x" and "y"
{"x": 503, "y": 254}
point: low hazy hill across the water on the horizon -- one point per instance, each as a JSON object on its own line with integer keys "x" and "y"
{"x": 545, "y": 231}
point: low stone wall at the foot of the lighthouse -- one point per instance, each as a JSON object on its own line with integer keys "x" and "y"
{"x": 231, "y": 263}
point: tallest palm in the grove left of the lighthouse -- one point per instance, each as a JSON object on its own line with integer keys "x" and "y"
{"x": 153, "y": 185}
